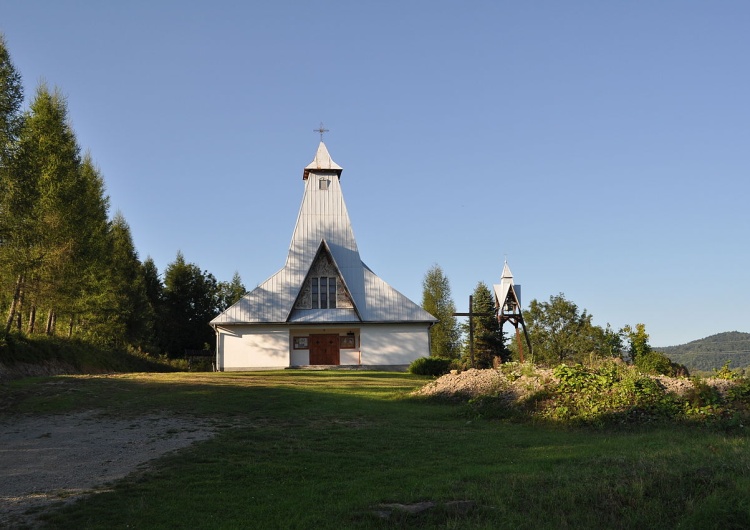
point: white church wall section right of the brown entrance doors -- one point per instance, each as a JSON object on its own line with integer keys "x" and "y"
{"x": 394, "y": 345}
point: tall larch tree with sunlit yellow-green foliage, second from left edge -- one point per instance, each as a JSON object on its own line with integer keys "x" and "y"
{"x": 39, "y": 204}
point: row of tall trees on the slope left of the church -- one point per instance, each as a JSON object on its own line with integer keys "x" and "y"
{"x": 68, "y": 269}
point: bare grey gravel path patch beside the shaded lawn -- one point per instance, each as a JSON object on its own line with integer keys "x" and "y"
{"x": 45, "y": 459}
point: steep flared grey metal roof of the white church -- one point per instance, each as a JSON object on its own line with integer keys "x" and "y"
{"x": 323, "y": 220}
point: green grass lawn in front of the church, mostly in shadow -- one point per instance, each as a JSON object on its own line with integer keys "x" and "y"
{"x": 323, "y": 449}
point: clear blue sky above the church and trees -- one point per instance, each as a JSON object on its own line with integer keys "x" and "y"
{"x": 601, "y": 148}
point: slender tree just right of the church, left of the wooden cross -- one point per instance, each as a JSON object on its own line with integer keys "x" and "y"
{"x": 436, "y": 300}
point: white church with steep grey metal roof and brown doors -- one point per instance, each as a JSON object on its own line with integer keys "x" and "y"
{"x": 325, "y": 307}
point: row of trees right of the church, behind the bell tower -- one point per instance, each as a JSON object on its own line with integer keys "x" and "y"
{"x": 559, "y": 332}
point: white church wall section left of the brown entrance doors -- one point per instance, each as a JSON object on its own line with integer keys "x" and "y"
{"x": 252, "y": 347}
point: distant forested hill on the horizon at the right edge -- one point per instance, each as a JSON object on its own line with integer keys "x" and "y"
{"x": 712, "y": 352}
